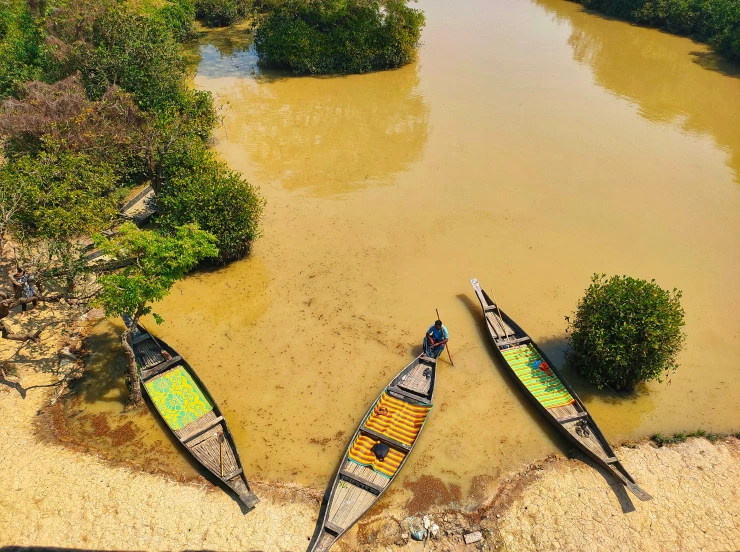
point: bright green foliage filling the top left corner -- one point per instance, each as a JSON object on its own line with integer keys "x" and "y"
{"x": 23, "y": 53}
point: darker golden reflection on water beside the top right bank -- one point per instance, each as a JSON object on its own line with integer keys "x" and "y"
{"x": 672, "y": 80}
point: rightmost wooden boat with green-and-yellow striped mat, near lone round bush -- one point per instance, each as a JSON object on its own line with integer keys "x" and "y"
{"x": 545, "y": 386}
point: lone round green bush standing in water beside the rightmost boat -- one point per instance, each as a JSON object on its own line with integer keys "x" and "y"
{"x": 625, "y": 331}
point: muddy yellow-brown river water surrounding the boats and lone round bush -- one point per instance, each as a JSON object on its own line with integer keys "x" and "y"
{"x": 531, "y": 145}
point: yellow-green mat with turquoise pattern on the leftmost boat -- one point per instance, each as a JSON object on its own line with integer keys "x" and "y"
{"x": 178, "y": 398}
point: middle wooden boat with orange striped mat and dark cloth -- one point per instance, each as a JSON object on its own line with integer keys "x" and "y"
{"x": 396, "y": 420}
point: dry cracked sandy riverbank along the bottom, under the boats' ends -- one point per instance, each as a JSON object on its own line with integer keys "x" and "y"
{"x": 55, "y": 496}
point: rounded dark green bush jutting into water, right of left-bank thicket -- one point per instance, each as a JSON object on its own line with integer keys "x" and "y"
{"x": 200, "y": 189}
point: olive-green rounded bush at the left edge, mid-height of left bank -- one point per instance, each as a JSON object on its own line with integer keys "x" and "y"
{"x": 63, "y": 195}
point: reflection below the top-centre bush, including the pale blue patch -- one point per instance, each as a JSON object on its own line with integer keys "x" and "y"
{"x": 357, "y": 130}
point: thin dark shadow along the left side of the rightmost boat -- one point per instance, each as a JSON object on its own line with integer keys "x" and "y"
{"x": 555, "y": 349}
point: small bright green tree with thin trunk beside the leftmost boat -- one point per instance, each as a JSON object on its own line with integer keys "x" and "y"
{"x": 158, "y": 262}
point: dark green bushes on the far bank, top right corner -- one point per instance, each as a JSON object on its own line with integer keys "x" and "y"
{"x": 716, "y": 22}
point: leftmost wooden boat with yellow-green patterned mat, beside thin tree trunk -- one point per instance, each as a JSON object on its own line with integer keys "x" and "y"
{"x": 189, "y": 411}
